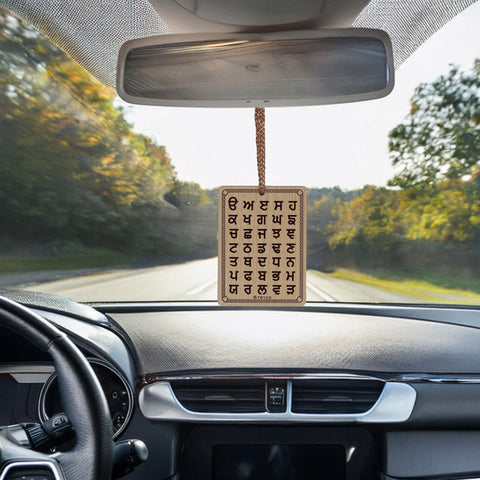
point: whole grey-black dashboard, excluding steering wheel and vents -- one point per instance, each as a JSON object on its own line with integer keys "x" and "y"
{"x": 433, "y": 352}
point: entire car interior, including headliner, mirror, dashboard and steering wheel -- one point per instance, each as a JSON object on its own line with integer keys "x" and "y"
{"x": 192, "y": 390}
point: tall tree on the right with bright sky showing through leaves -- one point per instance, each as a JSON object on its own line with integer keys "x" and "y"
{"x": 440, "y": 137}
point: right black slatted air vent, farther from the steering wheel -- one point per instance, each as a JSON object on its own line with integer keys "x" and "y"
{"x": 334, "y": 396}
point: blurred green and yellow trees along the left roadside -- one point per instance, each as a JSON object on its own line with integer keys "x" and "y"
{"x": 71, "y": 167}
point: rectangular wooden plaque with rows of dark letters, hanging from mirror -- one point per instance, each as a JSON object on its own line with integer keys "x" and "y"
{"x": 262, "y": 246}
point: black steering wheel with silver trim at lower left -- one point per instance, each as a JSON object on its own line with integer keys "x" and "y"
{"x": 83, "y": 400}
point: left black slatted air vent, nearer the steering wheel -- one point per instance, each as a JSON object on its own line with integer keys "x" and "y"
{"x": 219, "y": 396}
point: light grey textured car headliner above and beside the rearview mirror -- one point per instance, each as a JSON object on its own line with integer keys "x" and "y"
{"x": 92, "y": 31}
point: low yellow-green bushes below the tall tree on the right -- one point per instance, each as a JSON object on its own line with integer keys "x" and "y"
{"x": 409, "y": 229}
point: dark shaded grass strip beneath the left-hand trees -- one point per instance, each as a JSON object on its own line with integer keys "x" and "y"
{"x": 95, "y": 259}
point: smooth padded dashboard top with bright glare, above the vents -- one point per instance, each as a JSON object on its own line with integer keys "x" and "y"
{"x": 183, "y": 341}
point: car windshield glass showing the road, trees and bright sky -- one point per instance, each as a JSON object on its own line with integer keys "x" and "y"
{"x": 104, "y": 201}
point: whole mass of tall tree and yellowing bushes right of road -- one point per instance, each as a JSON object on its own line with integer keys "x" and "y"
{"x": 432, "y": 221}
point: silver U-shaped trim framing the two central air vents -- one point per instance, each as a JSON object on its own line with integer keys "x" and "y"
{"x": 395, "y": 404}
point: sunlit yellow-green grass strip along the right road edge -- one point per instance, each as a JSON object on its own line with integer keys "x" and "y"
{"x": 439, "y": 288}
